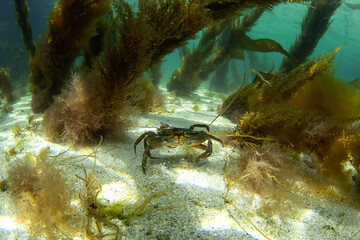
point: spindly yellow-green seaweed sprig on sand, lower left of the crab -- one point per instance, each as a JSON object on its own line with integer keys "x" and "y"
{"x": 99, "y": 213}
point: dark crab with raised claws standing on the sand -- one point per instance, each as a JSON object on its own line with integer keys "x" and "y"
{"x": 171, "y": 137}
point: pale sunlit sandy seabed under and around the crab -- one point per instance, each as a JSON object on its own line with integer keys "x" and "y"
{"x": 194, "y": 191}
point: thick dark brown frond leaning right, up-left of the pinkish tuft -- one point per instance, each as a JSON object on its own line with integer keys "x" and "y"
{"x": 71, "y": 25}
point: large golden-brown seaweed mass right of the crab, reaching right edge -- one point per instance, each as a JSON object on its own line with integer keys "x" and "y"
{"x": 308, "y": 111}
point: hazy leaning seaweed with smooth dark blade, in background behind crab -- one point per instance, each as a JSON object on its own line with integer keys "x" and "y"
{"x": 198, "y": 65}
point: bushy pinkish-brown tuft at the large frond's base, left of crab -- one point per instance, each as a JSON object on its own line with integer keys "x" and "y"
{"x": 79, "y": 114}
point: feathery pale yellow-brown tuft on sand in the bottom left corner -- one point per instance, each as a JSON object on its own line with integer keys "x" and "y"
{"x": 42, "y": 194}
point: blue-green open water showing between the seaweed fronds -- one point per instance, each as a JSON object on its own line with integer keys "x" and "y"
{"x": 282, "y": 24}
